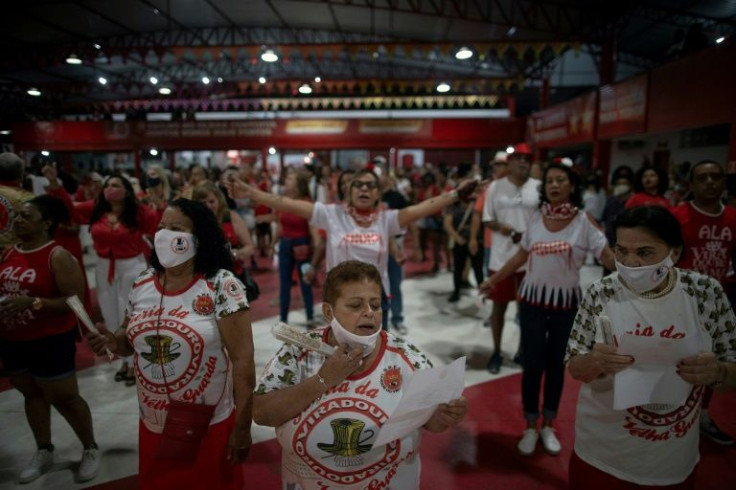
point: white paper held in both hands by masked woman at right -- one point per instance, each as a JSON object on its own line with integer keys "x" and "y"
{"x": 653, "y": 377}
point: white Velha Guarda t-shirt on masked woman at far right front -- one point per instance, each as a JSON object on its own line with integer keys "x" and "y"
{"x": 653, "y": 444}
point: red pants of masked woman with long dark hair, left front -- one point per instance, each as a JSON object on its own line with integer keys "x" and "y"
{"x": 210, "y": 471}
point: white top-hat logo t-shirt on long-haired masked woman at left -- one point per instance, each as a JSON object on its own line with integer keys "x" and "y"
{"x": 185, "y": 355}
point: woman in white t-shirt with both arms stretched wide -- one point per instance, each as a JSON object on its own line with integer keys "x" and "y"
{"x": 360, "y": 228}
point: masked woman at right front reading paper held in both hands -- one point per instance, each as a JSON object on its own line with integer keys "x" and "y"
{"x": 637, "y": 417}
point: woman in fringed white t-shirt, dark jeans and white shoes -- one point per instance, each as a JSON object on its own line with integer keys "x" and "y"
{"x": 554, "y": 247}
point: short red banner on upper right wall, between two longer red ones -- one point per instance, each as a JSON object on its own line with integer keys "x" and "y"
{"x": 623, "y": 108}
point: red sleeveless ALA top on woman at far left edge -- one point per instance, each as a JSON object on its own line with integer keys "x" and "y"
{"x": 29, "y": 273}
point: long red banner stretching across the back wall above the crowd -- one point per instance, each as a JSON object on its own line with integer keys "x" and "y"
{"x": 261, "y": 133}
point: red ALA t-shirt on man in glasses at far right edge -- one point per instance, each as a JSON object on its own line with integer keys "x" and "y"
{"x": 709, "y": 239}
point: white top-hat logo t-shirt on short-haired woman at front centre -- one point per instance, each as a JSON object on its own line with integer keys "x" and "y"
{"x": 329, "y": 445}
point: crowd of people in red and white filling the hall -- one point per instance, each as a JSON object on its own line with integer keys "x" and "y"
{"x": 174, "y": 251}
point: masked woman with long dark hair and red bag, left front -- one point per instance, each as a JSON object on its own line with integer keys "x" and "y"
{"x": 188, "y": 329}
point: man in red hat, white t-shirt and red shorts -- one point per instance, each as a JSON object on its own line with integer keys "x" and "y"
{"x": 510, "y": 202}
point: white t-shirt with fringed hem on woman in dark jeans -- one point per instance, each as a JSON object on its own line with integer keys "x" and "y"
{"x": 555, "y": 257}
